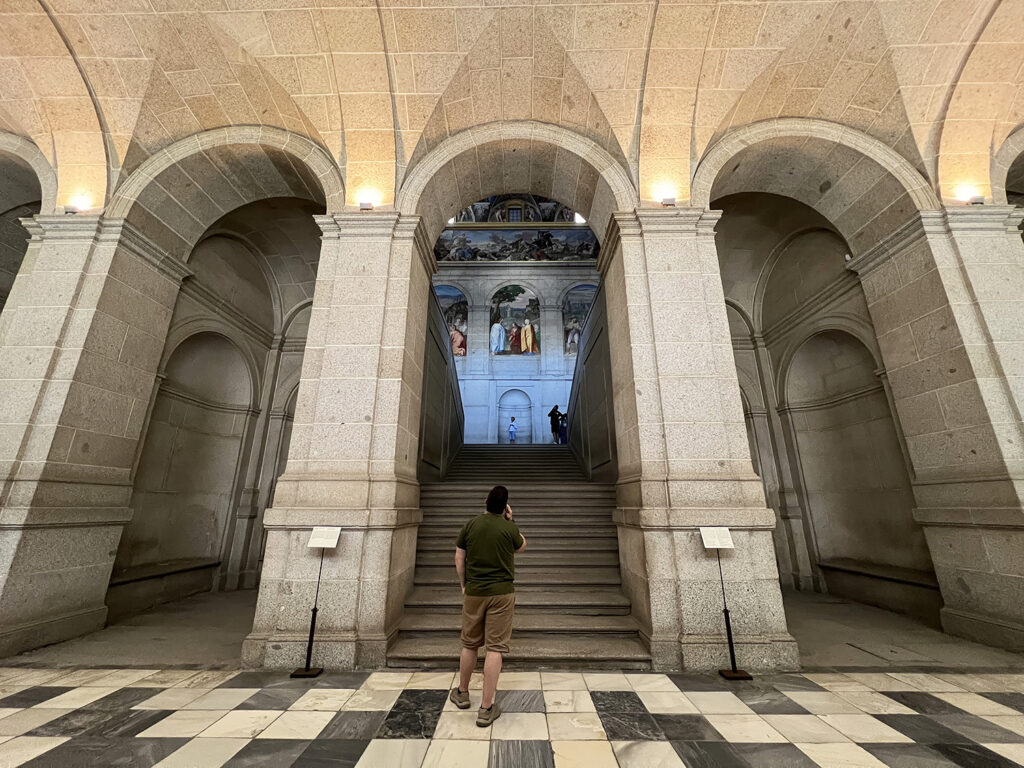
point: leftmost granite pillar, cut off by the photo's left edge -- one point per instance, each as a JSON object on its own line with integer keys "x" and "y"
{"x": 80, "y": 343}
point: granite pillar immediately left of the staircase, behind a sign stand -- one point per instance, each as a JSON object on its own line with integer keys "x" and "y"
{"x": 354, "y": 452}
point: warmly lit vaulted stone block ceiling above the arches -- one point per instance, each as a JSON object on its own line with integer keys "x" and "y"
{"x": 103, "y": 86}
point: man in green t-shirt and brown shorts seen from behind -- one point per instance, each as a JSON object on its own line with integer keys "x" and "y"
{"x": 485, "y": 560}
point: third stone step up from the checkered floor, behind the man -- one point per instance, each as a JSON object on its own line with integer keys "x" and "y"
{"x": 568, "y": 601}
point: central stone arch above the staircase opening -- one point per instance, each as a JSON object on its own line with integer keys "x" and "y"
{"x": 608, "y": 187}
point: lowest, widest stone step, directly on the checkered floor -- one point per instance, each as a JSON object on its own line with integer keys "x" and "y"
{"x": 551, "y": 651}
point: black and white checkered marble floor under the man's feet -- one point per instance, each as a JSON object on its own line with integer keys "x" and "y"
{"x": 206, "y": 719}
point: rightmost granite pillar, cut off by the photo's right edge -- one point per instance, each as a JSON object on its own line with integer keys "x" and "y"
{"x": 947, "y": 295}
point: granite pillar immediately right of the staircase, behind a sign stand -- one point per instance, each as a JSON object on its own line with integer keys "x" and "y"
{"x": 684, "y": 454}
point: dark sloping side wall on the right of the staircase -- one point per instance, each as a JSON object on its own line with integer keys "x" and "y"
{"x": 591, "y": 419}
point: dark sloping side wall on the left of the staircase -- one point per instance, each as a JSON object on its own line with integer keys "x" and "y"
{"x": 442, "y": 418}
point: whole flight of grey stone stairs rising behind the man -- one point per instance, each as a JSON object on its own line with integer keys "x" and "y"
{"x": 571, "y": 611}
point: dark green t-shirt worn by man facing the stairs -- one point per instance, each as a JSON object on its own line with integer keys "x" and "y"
{"x": 491, "y": 542}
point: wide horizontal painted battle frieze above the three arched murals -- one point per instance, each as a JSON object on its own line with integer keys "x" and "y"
{"x": 557, "y": 244}
